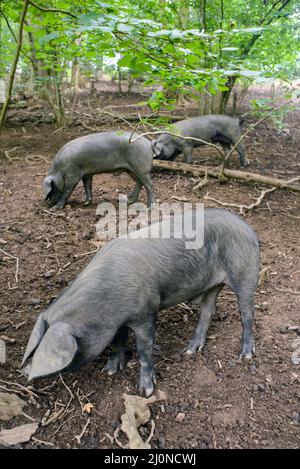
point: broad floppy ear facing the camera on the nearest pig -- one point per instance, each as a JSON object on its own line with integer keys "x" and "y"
{"x": 55, "y": 352}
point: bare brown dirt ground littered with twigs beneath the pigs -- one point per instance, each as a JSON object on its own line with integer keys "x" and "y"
{"x": 227, "y": 404}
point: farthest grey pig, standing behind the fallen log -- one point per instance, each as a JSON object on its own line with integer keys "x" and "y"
{"x": 212, "y": 128}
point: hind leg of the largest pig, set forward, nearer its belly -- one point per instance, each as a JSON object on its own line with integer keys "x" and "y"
{"x": 208, "y": 307}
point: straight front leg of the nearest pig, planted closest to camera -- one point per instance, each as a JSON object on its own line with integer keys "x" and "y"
{"x": 144, "y": 340}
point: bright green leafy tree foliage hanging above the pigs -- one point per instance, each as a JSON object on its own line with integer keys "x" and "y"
{"x": 187, "y": 45}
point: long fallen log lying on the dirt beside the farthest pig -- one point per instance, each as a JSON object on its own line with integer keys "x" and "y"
{"x": 230, "y": 173}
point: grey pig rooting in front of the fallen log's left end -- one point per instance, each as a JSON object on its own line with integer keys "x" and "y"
{"x": 103, "y": 152}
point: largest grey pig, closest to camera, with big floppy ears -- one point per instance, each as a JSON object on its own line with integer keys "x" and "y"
{"x": 130, "y": 280}
